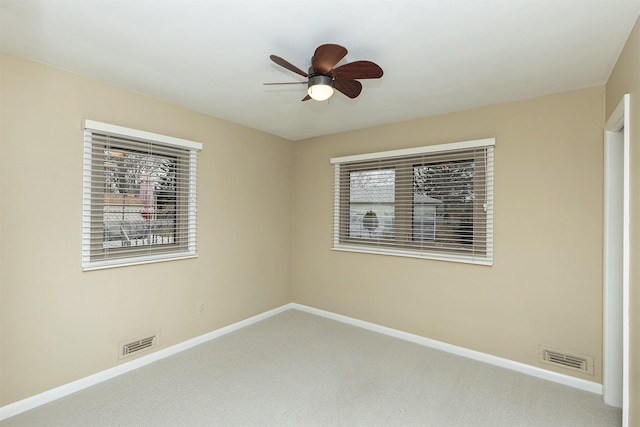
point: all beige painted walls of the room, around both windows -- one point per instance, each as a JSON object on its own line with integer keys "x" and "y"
{"x": 59, "y": 324}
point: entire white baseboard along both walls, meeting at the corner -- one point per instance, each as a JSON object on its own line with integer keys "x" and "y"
{"x": 91, "y": 380}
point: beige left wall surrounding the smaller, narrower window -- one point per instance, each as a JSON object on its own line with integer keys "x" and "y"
{"x": 60, "y": 324}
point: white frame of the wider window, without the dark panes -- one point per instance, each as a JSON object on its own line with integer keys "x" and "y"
{"x": 404, "y": 245}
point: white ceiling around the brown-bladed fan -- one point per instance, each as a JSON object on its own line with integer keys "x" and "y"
{"x": 438, "y": 56}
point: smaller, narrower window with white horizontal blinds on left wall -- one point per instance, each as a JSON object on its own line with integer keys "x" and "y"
{"x": 139, "y": 197}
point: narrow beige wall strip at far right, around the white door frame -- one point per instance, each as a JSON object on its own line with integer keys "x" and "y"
{"x": 625, "y": 78}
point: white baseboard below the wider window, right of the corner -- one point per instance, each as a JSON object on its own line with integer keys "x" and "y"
{"x": 555, "y": 377}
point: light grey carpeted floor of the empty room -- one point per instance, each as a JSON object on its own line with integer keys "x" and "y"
{"x": 298, "y": 369}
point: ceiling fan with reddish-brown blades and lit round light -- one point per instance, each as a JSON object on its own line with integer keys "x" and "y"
{"x": 323, "y": 78}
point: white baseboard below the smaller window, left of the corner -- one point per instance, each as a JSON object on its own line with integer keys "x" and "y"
{"x": 59, "y": 392}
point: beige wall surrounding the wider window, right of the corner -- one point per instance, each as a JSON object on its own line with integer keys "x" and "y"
{"x": 545, "y": 286}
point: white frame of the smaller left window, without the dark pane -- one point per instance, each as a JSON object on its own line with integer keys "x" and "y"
{"x": 95, "y": 255}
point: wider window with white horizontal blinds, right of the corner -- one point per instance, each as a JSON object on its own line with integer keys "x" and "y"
{"x": 430, "y": 202}
